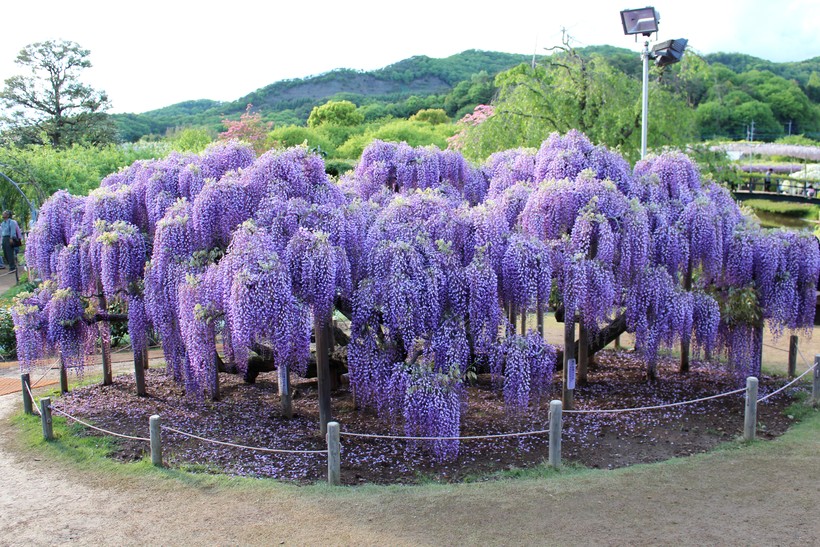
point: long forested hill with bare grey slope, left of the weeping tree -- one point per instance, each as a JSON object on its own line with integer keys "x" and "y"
{"x": 290, "y": 101}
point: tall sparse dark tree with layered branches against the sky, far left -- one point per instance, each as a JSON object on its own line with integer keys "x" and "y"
{"x": 51, "y": 101}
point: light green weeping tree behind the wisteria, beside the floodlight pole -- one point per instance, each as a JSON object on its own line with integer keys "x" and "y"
{"x": 572, "y": 91}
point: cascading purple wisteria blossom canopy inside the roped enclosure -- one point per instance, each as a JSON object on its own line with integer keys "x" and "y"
{"x": 424, "y": 252}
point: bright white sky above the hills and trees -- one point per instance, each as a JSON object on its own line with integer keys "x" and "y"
{"x": 148, "y": 54}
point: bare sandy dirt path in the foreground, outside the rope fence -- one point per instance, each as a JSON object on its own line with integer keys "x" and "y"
{"x": 762, "y": 495}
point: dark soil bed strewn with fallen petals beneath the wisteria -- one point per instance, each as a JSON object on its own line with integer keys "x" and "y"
{"x": 249, "y": 415}
